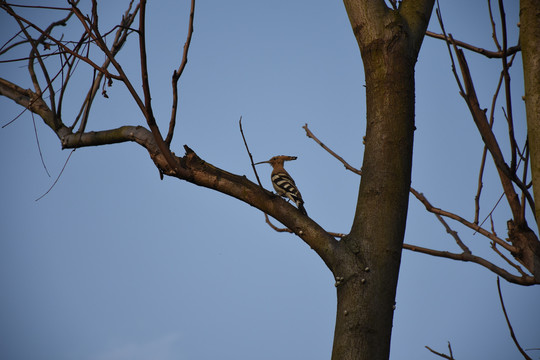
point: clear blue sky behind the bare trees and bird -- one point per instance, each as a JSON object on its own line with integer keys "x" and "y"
{"x": 115, "y": 264}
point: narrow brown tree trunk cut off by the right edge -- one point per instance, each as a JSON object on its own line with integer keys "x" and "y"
{"x": 529, "y": 16}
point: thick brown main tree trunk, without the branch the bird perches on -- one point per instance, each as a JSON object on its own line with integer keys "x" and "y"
{"x": 389, "y": 42}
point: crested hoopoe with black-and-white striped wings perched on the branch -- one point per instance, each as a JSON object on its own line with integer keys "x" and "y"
{"x": 283, "y": 182}
